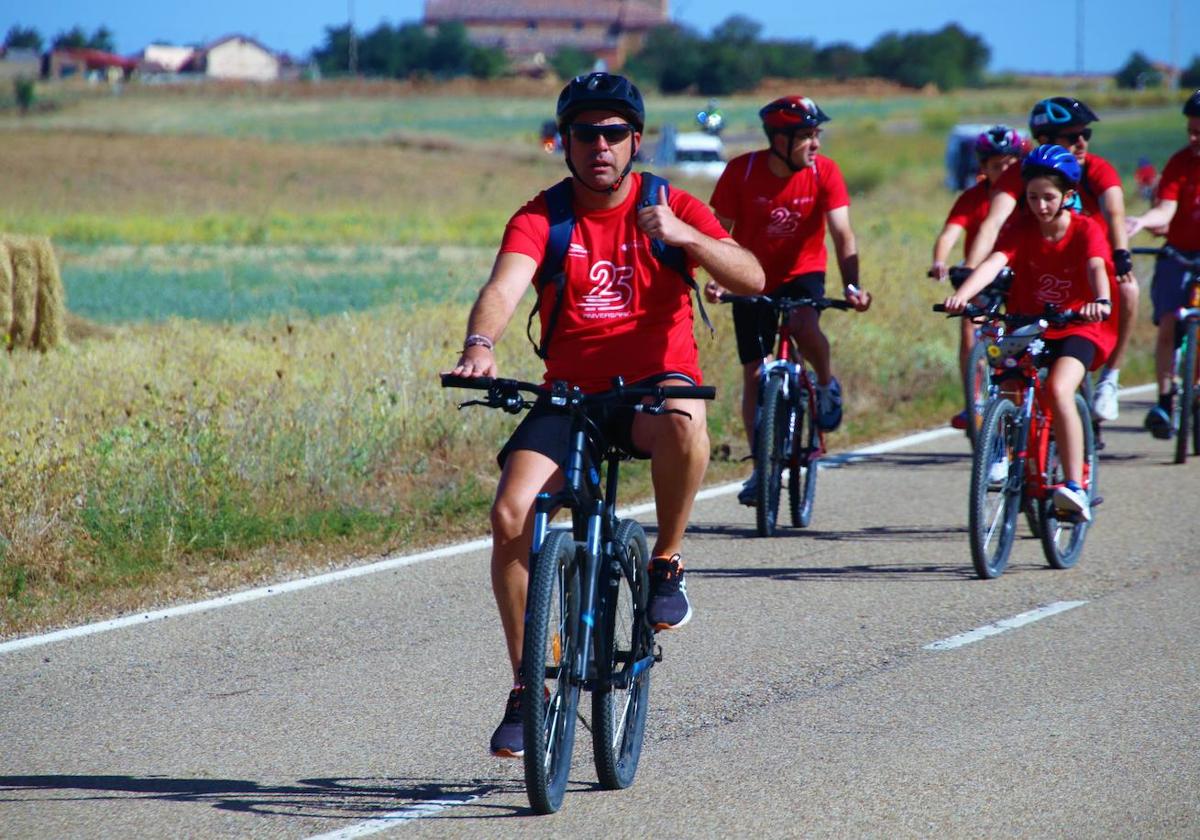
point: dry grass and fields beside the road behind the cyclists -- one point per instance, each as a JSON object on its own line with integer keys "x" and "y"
{"x": 261, "y": 311}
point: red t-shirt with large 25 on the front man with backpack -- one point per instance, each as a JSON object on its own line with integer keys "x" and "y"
{"x": 623, "y": 314}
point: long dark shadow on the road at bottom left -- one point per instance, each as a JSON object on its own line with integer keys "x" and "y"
{"x": 321, "y": 799}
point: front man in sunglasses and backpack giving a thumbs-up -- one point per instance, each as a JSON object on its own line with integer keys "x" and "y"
{"x": 620, "y": 311}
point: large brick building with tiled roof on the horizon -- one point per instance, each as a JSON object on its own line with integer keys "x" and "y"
{"x": 533, "y": 31}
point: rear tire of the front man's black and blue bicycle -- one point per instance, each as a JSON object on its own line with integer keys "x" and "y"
{"x": 619, "y": 716}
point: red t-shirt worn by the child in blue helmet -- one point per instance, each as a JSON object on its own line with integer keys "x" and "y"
{"x": 1057, "y": 273}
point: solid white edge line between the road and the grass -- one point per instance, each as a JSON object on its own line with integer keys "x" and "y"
{"x": 437, "y": 554}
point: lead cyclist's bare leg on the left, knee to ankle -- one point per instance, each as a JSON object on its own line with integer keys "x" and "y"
{"x": 526, "y": 475}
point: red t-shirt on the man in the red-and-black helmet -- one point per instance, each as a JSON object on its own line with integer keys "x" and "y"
{"x": 781, "y": 220}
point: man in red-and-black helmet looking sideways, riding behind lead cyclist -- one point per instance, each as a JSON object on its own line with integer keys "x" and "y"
{"x": 777, "y": 202}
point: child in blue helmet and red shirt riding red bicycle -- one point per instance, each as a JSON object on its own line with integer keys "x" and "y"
{"x": 1060, "y": 259}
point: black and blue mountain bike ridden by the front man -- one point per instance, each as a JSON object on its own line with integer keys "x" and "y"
{"x": 586, "y": 626}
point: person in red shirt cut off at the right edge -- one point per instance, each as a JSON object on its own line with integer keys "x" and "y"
{"x": 1179, "y": 207}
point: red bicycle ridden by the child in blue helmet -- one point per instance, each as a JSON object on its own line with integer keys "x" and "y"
{"x": 1017, "y": 429}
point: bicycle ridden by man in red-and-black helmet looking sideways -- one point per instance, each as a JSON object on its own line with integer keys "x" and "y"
{"x": 788, "y": 407}
